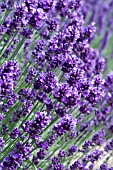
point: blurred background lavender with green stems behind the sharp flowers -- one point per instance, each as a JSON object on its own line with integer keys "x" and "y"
{"x": 101, "y": 13}
